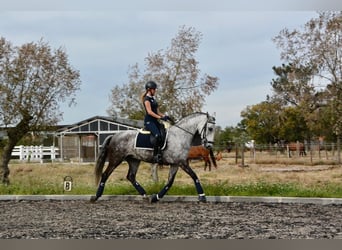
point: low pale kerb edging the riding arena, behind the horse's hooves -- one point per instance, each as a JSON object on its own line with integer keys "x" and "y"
{"x": 174, "y": 198}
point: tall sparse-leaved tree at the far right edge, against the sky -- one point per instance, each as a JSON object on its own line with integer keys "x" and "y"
{"x": 318, "y": 46}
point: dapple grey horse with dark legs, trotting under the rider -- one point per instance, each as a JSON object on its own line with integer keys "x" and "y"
{"x": 121, "y": 146}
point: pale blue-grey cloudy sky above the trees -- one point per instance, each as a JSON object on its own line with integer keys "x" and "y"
{"x": 102, "y": 41}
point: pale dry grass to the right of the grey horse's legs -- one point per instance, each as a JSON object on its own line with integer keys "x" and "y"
{"x": 277, "y": 170}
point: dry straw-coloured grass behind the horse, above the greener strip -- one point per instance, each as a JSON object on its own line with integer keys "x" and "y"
{"x": 297, "y": 170}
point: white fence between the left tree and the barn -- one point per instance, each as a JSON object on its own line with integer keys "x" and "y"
{"x": 35, "y": 153}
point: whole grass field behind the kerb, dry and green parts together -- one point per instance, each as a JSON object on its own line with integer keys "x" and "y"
{"x": 259, "y": 176}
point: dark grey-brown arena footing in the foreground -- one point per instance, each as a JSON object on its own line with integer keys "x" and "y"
{"x": 139, "y": 219}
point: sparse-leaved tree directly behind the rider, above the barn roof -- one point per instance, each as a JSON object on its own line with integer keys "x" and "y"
{"x": 181, "y": 89}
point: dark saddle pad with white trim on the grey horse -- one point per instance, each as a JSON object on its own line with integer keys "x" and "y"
{"x": 144, "y": 139}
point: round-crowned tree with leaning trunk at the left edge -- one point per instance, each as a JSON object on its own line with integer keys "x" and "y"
{"x": 34, "y": 79}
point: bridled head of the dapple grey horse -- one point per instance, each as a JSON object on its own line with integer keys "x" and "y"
{"x": 206, "y": 130}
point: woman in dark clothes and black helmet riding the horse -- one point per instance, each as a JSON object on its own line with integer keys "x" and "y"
{"x": 151, "y": 119}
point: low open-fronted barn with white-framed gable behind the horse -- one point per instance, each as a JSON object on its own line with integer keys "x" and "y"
{"x": 81, "y": 142}
